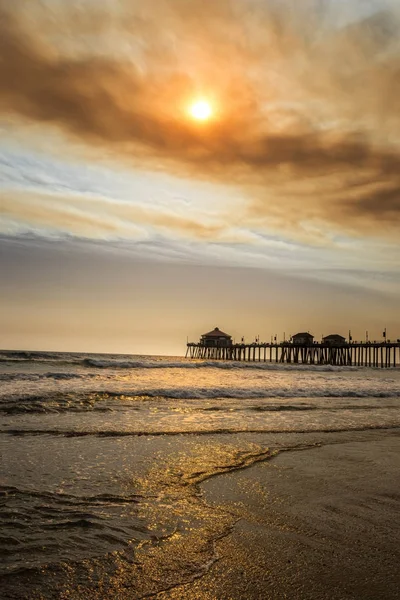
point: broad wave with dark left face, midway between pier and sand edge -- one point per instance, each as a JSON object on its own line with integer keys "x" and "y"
{"x": 51, "y": 402}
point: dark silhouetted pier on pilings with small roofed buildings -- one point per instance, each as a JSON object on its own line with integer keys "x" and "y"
{"x": 301, "y": 349}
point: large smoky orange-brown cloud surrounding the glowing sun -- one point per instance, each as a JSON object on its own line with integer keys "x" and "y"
{"x": 306, "y": 115}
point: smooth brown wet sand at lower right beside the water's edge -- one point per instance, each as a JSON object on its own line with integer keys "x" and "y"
{"x": 320, "y": 523}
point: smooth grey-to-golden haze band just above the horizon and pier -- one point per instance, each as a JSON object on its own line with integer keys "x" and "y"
{"x": 82, "y": 298}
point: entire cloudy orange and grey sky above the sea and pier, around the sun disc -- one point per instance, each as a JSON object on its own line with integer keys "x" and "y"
{"x": 126, "y": 225}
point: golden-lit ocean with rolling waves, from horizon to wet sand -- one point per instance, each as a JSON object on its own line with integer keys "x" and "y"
{"x": 105, "y": 459}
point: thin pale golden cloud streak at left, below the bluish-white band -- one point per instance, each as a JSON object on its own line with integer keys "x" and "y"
{"x": 96, "y": 217}
